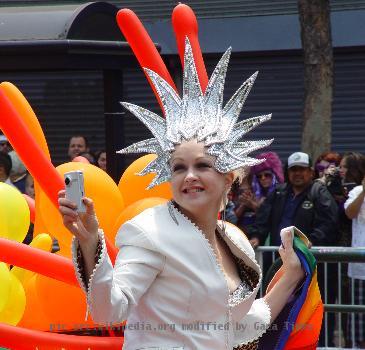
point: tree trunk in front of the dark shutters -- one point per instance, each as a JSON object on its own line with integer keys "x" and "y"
{"x": 315, "y": 25}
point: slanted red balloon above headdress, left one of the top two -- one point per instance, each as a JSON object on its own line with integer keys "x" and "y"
{"x": 143, "y": 47}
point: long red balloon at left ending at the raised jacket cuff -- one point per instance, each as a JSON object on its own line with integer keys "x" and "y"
{"x": 37, "y": 260}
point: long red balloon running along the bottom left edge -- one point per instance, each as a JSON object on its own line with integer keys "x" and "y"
{"x": 25, "y": 339}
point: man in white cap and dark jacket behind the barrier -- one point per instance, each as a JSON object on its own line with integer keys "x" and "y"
{"x": 303, "y": 203}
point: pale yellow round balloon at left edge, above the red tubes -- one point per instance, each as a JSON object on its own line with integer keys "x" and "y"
{"x": 14, "y": 213}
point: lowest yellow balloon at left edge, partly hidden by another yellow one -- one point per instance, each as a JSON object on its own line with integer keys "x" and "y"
{"x": 14, "y": 308}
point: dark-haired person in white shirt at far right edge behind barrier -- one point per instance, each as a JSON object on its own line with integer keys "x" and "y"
{"x": 353, "y": 171}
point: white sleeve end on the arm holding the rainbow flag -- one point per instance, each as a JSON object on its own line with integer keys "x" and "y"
{"x": 254, "y": 324}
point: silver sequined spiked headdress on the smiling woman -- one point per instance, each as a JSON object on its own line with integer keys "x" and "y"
{"x": 198, "y": 116}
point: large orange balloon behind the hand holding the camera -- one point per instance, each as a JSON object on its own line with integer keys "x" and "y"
{"x": 100, "y": 187}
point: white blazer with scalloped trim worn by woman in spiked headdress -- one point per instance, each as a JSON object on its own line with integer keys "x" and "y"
{"x": 169, "y": 286}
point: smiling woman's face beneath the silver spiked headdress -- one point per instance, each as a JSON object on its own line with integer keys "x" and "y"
{"x": 195, "y": 183}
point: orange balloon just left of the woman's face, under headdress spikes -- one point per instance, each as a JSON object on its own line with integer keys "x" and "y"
{"x": 133, "y": 187}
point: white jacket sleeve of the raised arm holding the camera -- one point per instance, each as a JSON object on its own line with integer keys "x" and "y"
{"x": 111, "y": 292}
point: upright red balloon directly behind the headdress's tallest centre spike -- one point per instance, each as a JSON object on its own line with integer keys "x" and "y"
{"x": 186, "y": 25}
